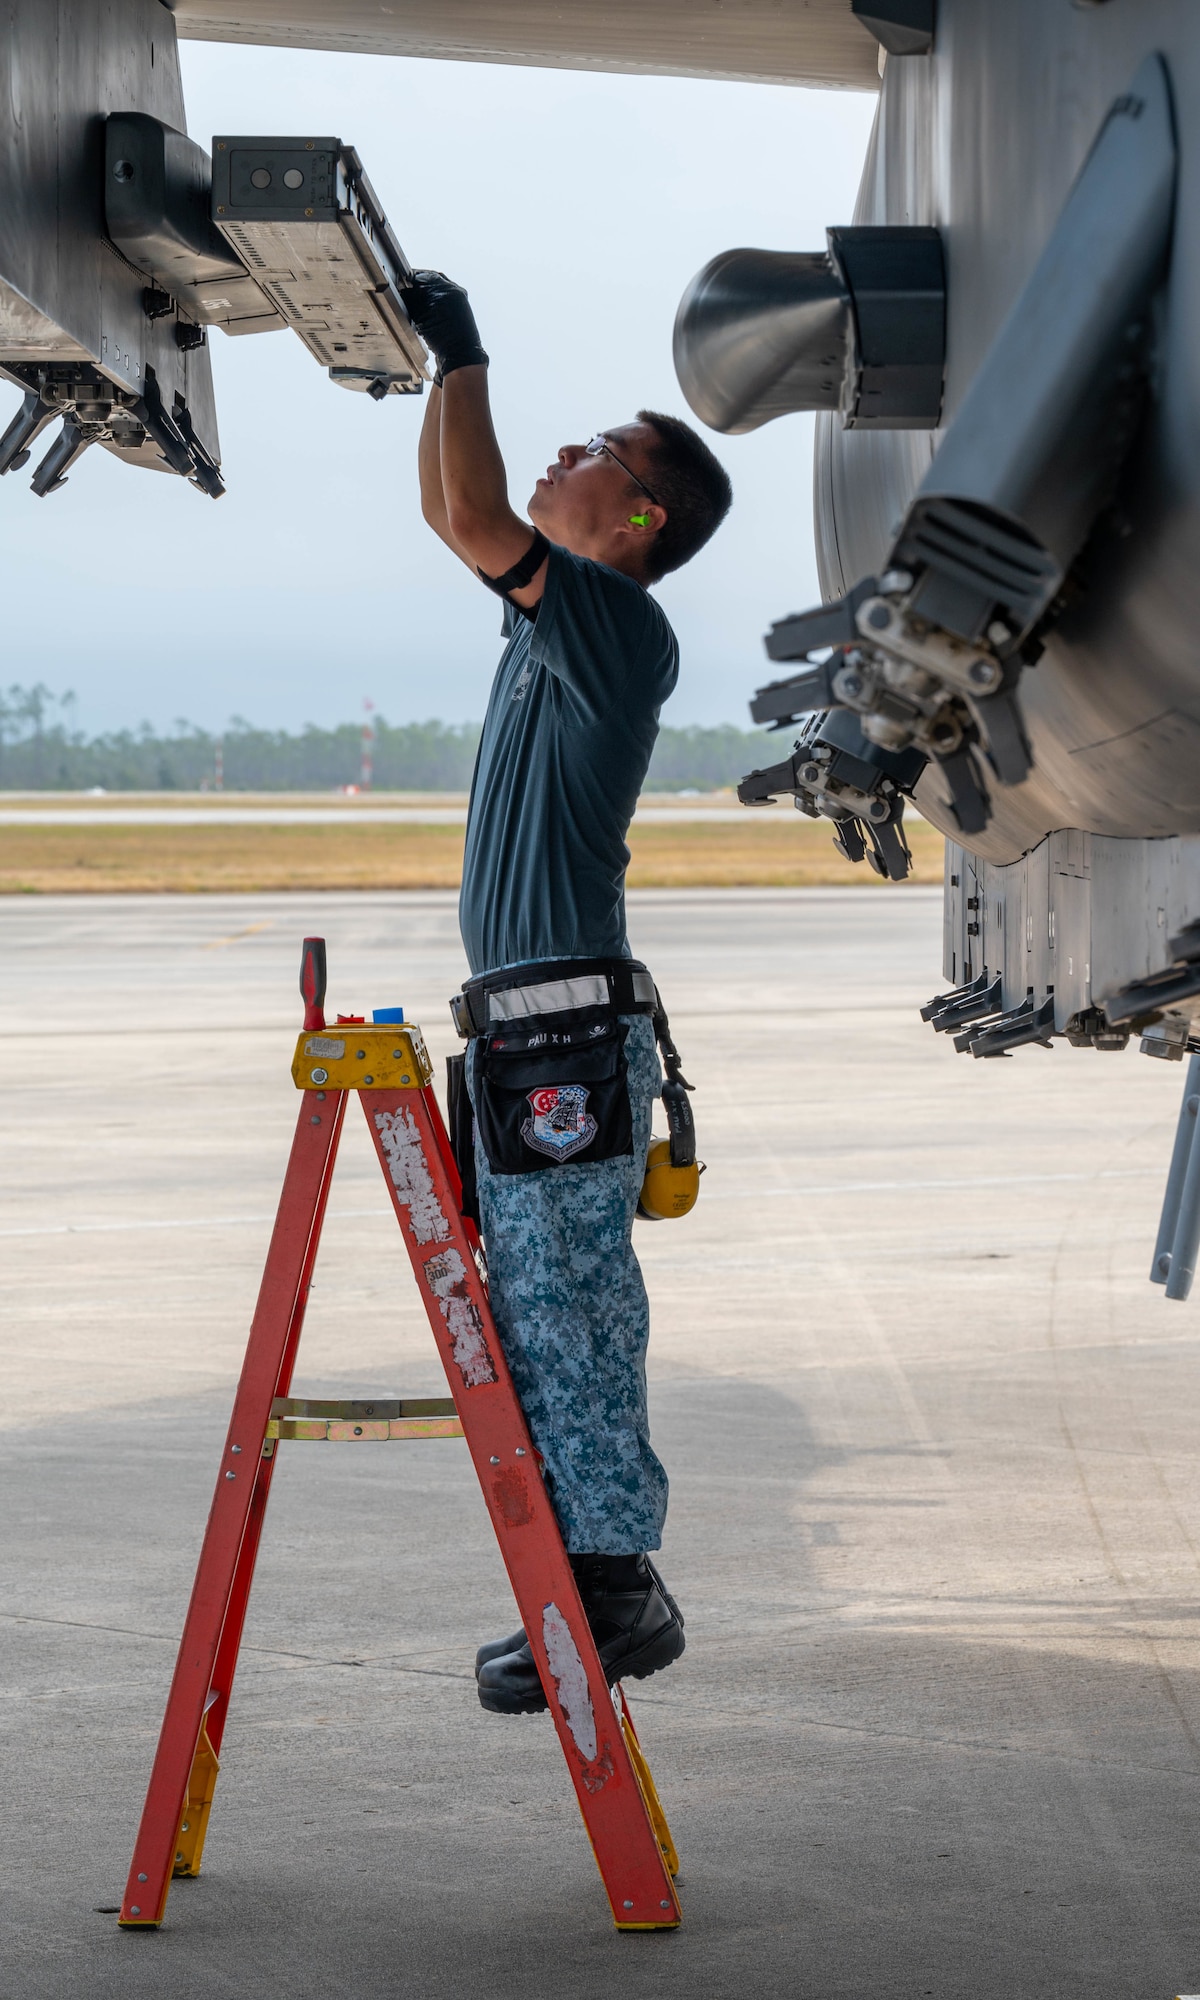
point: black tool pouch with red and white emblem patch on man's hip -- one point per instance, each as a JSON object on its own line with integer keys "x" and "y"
{"x": 555, "y": 1093}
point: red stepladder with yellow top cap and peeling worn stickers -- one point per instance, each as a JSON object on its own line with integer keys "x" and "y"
{"x": 391, "y": 1071}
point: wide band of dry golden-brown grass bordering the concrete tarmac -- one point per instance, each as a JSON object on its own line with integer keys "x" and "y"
{"x": 755, "y": 851}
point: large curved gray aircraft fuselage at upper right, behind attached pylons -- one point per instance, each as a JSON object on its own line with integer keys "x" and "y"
{"x": 983, "y": 139}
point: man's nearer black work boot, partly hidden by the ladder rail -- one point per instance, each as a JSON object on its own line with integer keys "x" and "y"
{"x": 633, "y": 1621}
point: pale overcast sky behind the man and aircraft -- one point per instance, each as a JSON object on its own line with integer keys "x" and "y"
{"x": 575, "y": 209}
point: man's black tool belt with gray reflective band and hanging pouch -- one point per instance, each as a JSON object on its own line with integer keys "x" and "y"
{"x": 551, "y": 1077}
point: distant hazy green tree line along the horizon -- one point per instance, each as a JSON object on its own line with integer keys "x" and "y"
{"x": 43, "y": 751}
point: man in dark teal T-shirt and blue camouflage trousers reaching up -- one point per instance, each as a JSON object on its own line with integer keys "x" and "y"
{"x": 561, "y": 1023}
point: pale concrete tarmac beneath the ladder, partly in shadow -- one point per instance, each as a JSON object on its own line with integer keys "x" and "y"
{"x": 935, "y": 1515}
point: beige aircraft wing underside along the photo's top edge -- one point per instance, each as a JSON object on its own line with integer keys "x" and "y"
{"x": 799, "y": 43}
